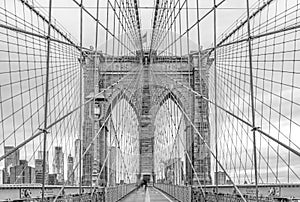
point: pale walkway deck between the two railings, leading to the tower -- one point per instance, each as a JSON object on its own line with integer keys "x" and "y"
{"x": 150, "y": 195}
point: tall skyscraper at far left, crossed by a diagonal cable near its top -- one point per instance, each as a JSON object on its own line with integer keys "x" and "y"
{"x": 10, "y": 161}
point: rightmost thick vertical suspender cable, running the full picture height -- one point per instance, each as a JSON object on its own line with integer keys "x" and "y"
{"x": 252, "y": 97}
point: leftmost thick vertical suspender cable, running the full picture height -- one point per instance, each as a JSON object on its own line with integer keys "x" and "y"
{"x": 46, "y": 99}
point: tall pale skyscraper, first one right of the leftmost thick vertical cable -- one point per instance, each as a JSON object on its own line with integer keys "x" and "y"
{"x": 58, "y": 164}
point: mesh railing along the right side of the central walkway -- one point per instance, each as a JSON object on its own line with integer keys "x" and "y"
{"x": 180, "y": 193}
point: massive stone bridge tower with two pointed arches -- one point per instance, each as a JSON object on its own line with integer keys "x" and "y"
{"x": 101, "y": 72}
